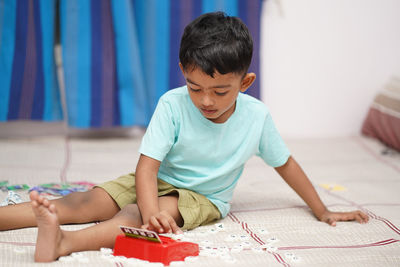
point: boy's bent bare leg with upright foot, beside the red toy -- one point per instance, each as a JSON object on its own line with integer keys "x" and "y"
{"x": 52, "y": 242}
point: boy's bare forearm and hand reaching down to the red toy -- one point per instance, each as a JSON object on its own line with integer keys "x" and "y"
{"x": 147, "y": 197}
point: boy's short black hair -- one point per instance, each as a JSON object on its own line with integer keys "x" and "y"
{"x": 215, "y": 42}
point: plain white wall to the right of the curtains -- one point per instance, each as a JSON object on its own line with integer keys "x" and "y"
{"x": 323, "y": 61}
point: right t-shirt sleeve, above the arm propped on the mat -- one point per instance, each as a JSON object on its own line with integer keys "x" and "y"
{"x": 272, "y": 149}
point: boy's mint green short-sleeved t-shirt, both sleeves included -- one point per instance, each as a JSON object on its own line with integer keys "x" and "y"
{"x": 207, "y": 157}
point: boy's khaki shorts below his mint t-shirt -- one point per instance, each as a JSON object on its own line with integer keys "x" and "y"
{"x": 195, "y": 208}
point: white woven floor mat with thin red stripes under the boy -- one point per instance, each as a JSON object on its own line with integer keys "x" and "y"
{"x": 265, "y": 211}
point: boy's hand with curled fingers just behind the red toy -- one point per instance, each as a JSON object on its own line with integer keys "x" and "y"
{"x": 162, "y": 222}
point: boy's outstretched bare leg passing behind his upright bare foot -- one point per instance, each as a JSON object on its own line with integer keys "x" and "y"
{"x": 78, "y": 207}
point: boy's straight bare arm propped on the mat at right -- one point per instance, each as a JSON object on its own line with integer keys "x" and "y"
{"x": 294, "y": 176}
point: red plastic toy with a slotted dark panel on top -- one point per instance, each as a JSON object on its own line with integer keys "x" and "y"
{"x": 148, "y": 245}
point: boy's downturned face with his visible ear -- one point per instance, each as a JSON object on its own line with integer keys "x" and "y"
{"x": 216, "y": 97}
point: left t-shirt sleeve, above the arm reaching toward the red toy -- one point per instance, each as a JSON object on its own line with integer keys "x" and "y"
{"x": 160, "y": 134}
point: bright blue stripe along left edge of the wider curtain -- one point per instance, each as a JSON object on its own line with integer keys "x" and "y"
{"x": 76, "y": 42}
